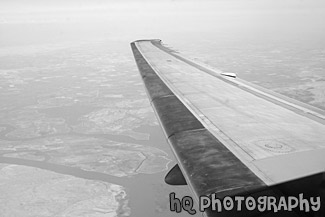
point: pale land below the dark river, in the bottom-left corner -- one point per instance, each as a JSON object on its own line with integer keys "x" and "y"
{"x": 28, "y": 191}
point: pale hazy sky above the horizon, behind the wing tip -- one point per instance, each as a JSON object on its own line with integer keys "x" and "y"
{"x": 131, "y": 20}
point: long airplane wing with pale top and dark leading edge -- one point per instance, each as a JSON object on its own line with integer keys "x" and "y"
{"x": 231, "y": 137}
